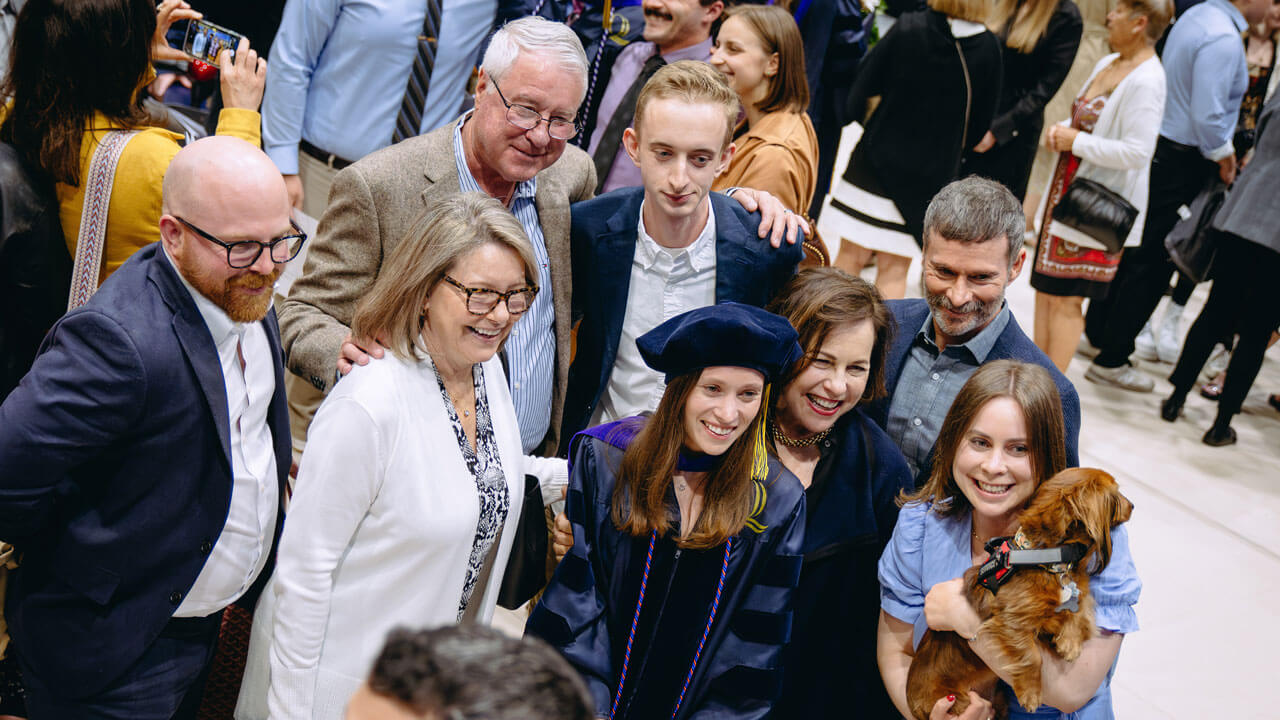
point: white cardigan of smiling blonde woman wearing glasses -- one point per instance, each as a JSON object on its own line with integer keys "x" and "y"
{"x": 380, "y": 531}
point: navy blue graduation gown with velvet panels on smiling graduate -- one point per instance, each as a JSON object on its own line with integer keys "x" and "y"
{"x": 588, "y": 609}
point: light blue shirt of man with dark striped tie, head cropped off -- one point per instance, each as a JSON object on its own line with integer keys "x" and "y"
{"x": 340, "y": 69}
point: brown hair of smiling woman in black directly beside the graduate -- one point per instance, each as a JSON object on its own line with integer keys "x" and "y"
{"x": 817, "y": 302}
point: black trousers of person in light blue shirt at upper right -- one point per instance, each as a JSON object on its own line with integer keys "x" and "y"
{"x": 1178, "y": 174}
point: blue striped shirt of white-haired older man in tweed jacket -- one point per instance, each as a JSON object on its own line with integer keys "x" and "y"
{"x": 532, "y": 347}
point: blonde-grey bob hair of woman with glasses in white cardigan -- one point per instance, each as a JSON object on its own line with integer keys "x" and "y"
{"x": 442, "y": 238}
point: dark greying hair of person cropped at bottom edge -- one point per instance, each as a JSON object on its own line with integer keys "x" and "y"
{"x": 473, "y": 672}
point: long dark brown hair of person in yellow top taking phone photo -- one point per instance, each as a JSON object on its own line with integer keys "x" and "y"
{"x": 72, "y": 60}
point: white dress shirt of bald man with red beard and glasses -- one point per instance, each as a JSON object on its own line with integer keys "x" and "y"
{"x": 245, "y": 543}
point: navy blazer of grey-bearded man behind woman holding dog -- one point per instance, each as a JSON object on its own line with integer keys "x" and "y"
{"x": 1012, "y": 345}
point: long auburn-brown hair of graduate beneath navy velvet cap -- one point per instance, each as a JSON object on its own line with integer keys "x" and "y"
{"x": 648, "y": 471}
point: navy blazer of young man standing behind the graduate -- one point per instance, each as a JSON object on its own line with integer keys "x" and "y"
{"x": 604, "y": 244}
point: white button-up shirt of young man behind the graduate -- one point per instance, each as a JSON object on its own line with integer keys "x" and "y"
{"x": 665, "y": 282}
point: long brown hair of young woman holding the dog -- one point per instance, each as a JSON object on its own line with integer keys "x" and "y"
{"x": 1034, "y": 390}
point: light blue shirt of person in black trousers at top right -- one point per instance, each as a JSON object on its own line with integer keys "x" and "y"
{"x": 1206, "y": 76}
